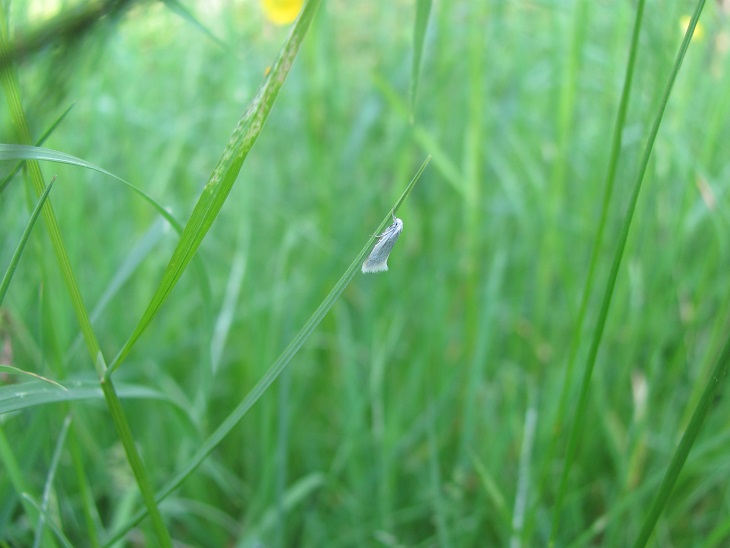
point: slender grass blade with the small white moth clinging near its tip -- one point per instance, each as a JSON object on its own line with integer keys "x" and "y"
{"x": 275, "y": 370}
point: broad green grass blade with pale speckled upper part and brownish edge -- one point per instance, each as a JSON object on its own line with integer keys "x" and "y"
{"x": 224, "y": 175}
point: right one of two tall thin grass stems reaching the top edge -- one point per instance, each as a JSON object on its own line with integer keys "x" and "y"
{"x": 579, "y": 414}
